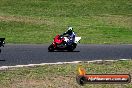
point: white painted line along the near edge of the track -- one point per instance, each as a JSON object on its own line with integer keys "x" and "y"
{"x": 73, "y": 62}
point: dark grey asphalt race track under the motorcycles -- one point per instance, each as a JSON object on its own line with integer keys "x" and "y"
{"x": 34, "y": 54}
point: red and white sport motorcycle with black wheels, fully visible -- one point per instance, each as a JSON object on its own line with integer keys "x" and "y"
{"x": 60, "y": 43}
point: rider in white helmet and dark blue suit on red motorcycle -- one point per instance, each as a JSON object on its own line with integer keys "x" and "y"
{"x": 71, "y": 35}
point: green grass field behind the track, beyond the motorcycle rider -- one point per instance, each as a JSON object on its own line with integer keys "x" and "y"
{"x": 38, "y": 21}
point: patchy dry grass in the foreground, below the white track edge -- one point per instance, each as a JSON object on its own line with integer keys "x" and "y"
{"x": 60, "y": 76}
